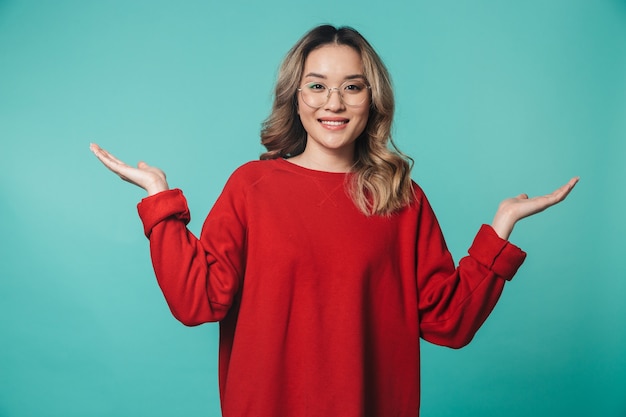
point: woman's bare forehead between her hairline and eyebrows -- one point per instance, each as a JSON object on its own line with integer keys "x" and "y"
{"x": 333, "y": 61}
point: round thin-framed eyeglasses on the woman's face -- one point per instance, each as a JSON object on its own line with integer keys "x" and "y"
{"x": 351, "y": 92}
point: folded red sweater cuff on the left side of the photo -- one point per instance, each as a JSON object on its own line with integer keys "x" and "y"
{"x": 158, "y": 207}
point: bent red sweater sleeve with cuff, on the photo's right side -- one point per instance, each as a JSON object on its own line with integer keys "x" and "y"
{"x": 455, "y": 301}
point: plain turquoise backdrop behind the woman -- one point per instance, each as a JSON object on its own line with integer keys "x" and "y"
{"x": 494, "y": 98}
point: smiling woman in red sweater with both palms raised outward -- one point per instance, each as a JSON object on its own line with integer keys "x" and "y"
{"x": 323, "y": 261}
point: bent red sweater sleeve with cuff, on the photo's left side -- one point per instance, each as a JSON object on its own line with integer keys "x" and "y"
{"x": 198, "y": 277}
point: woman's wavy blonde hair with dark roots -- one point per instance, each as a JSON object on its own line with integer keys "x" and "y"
{"x": 381, "y": 183}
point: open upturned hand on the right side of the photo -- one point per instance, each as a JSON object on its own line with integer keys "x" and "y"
{"x": 514, "y": 209}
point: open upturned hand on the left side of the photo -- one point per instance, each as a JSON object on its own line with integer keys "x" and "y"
{"x": 151, "y": 179}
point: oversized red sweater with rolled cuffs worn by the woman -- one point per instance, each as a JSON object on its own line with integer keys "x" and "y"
{"x": 321, "y": 307}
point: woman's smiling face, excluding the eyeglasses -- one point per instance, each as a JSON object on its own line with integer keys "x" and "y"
{"x": 334, "y": 127}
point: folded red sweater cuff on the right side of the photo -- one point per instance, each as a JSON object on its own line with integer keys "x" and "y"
{"x": 497, "y": 254}
